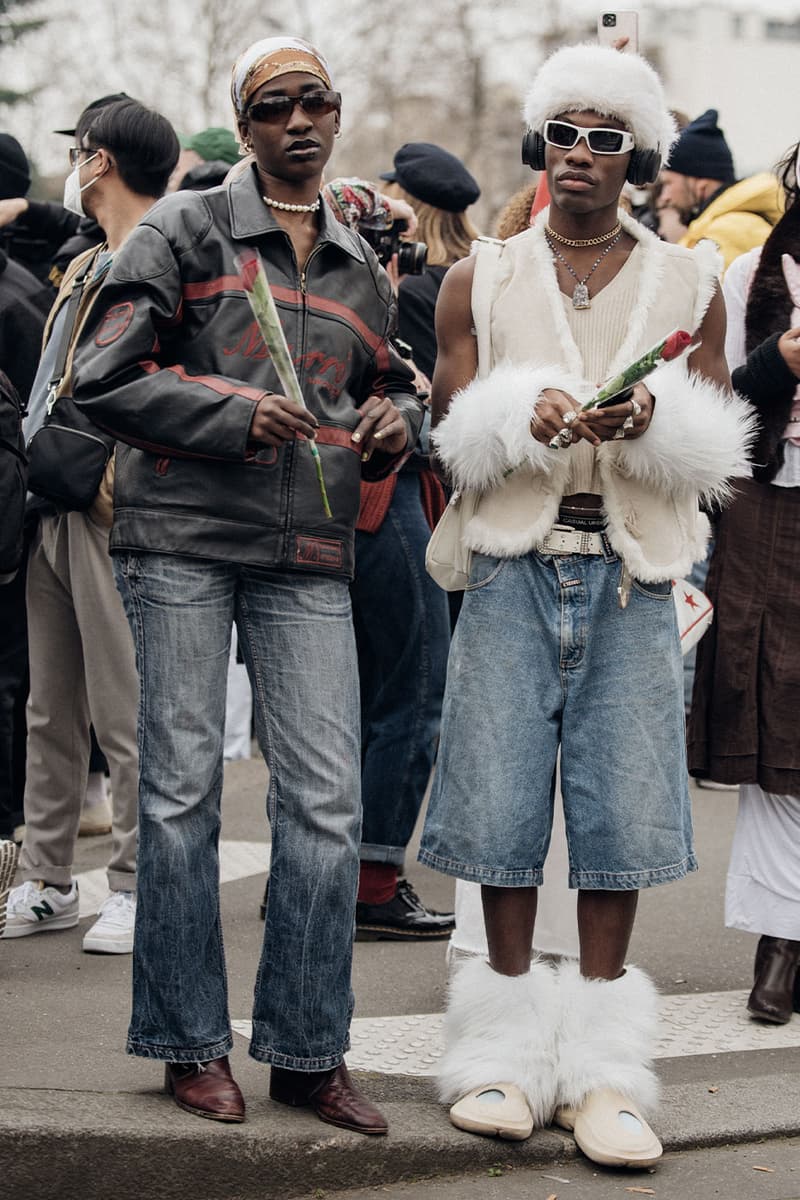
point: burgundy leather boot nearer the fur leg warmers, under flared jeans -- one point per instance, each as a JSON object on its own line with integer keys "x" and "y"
{"x": 333, "y": 1096}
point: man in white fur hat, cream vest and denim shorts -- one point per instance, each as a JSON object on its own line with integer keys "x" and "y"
{"x": 568, "y": 638}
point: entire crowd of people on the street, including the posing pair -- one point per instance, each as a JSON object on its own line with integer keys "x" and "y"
{"x": 203, "y": 464}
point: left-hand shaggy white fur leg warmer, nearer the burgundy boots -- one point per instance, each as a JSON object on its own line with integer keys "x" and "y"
{"x": 502, "y": 1030}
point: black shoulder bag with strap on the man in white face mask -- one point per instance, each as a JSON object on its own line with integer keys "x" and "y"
{"x": 69, "y": 454}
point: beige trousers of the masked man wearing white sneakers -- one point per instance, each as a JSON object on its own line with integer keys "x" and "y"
{"x": 82, "y": 673}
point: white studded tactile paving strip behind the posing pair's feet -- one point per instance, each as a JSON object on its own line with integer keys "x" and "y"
{"x": 709, "y": 1023}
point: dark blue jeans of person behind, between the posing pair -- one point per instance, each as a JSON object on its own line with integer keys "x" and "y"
{"x": 402, "y": 628}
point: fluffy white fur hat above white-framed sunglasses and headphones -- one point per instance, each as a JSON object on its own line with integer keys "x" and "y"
{"x": 599, "y": 80}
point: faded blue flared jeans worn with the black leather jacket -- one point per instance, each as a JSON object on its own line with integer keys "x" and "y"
{"x": 297, "y": 637}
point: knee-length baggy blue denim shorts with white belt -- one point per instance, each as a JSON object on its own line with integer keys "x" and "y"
{"x": 544, "y": 658}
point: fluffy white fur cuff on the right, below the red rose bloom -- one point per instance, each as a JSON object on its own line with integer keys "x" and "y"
{"x": 699, "y": 440}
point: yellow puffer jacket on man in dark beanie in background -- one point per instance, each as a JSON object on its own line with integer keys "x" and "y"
{"x": 741, "y": 218}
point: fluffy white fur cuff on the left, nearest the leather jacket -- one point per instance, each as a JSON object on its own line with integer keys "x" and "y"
{"x": 488, "y": 429}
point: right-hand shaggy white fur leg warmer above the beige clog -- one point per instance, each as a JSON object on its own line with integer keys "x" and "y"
{"x": 606, "y": 1036}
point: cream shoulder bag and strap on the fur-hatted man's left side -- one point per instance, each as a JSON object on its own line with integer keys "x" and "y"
{"x": 448, "y": 560}
